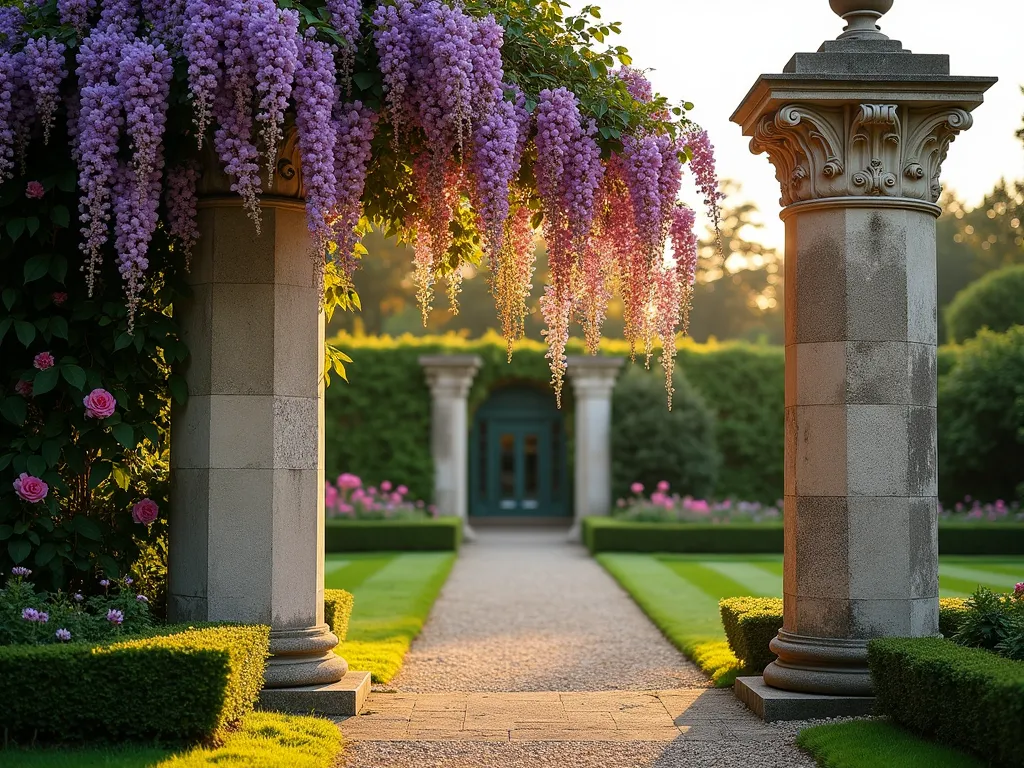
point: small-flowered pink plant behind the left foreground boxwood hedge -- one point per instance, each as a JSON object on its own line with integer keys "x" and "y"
{"x": 29, "y": 616}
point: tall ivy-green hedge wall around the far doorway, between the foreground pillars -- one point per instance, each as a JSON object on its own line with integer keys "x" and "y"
{"x": 378, "y": 425}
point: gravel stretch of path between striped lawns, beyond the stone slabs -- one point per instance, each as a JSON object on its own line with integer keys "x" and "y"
{"x": 525, "y": 611}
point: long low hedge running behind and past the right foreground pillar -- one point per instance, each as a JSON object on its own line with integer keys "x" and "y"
{"x": 611, "y": 535}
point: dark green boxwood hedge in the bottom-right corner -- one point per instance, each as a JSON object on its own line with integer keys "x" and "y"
{"x": 966, "y": 698}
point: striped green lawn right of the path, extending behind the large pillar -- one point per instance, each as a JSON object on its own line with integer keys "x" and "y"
{"x": 680, "y": 593}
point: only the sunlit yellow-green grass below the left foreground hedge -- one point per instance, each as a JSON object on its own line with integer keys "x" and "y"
{"x": 270, "y": 741}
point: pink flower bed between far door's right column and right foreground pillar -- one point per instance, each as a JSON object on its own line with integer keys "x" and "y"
{"x": 661, "y": 504}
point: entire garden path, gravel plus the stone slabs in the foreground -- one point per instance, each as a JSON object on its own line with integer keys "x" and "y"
{"x": 534, "y": 657}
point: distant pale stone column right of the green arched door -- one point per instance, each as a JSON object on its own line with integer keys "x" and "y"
{"x": 593, "y": 380}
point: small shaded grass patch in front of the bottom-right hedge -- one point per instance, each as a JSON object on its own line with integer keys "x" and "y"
{"x": 871, "y": 744}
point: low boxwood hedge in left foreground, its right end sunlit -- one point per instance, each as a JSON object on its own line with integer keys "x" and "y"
{"x": 180, "y": 688}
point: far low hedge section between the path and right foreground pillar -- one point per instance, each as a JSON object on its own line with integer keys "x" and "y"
{"x": 610, "y": 535}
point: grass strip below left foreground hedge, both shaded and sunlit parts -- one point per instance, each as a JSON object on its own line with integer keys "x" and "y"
{"x": 266, "y": 740}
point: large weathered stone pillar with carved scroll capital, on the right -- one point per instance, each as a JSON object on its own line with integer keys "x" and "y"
{"x": 858, "y": 134}
